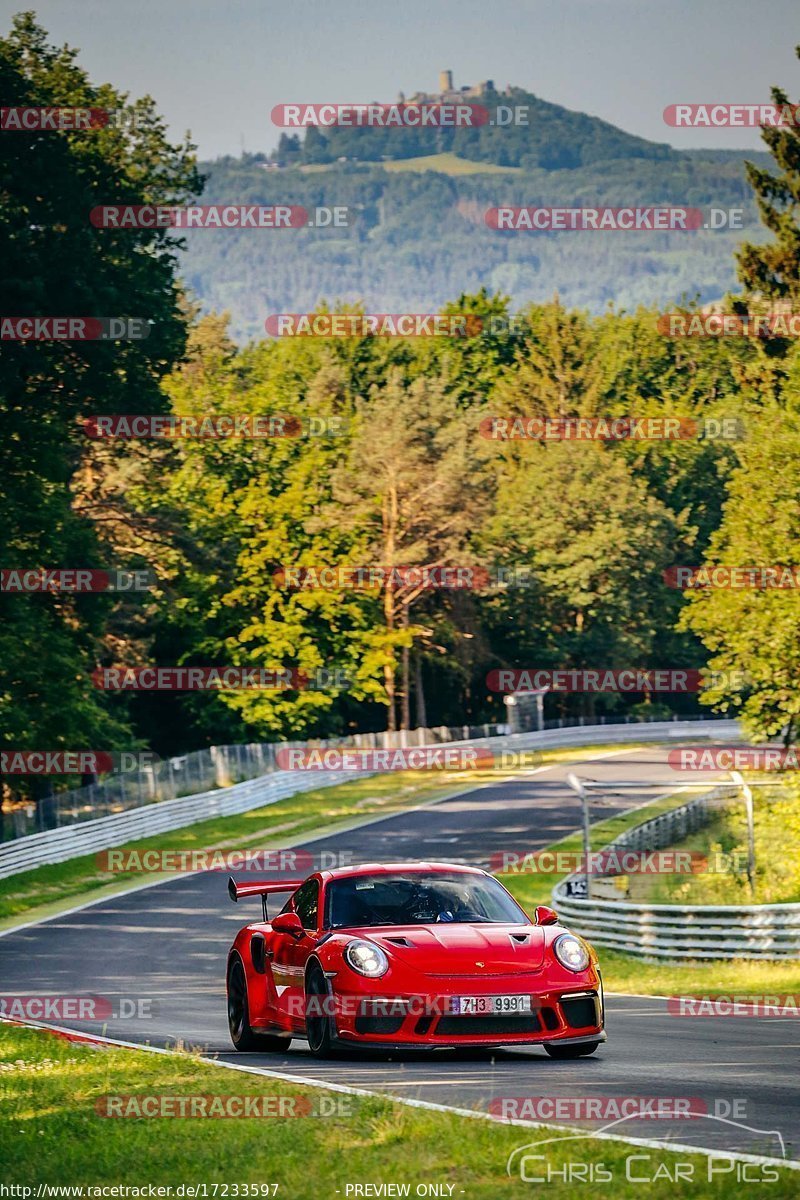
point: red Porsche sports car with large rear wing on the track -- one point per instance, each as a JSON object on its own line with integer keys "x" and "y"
{"x": 412, "y": 956}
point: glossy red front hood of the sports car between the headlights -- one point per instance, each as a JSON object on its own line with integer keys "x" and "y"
{"x": 447, "y": 950}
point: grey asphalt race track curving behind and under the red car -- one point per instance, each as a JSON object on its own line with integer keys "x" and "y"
{"x": 167, "y": 945}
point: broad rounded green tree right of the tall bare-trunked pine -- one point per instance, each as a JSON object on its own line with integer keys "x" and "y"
{"x": 597, "y": 543}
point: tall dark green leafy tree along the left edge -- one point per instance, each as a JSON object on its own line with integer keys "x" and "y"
{"x": 57, "y": 263}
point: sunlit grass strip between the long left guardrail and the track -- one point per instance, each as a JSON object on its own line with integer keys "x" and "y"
{"x": 44, "y": 891}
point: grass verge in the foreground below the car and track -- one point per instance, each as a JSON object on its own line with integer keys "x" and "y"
{"x": 52, "y": 1133}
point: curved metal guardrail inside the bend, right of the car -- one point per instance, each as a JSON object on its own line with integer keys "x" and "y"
{"x": 681, "y": 932}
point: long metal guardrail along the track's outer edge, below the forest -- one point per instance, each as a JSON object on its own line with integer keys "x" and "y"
{"x": 105, "y": 833}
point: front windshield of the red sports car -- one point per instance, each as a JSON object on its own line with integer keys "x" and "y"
{"x": 419, "y": 899}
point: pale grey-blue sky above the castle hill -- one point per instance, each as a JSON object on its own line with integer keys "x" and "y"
{"x": 218, "y": 69}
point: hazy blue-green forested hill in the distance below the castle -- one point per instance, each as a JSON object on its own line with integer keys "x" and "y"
{"x": 418, "y": 235}
